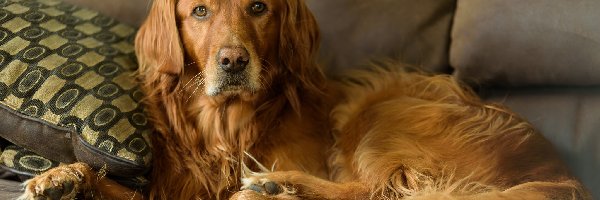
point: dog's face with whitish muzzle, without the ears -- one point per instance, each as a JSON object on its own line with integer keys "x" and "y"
{"x": 229, "y": 42}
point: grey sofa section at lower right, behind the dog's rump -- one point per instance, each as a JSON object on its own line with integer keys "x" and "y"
{"x": 568, "y": 117}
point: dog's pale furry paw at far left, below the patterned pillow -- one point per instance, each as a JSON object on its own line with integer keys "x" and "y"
{"x": 60, "y": 183}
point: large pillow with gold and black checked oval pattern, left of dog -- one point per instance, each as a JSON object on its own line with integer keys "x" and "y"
{"x": 66, "y": 87}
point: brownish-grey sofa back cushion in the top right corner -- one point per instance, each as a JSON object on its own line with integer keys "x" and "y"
{"x": 527, "y": 43}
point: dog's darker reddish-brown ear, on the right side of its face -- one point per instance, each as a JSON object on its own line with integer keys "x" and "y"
{"x": 299, "y": 42}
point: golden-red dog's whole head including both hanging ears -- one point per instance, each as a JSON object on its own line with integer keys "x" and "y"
{"x": 228, "y": 47}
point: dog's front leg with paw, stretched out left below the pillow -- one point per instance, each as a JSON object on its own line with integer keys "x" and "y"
{"x": 65, "y": 182}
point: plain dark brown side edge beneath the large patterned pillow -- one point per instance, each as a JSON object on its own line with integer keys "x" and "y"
{"x": 70, "y": 150}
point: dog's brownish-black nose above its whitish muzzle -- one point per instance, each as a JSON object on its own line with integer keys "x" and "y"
{"x": 233, "y": 59}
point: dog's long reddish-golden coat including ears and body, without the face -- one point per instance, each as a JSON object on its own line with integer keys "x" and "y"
{"x": 395, "y": 134}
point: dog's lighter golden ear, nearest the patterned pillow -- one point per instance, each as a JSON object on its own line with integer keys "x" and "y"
{"x": 157, "y": 44}
